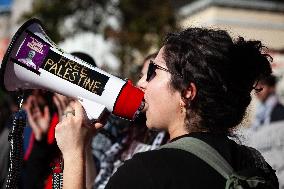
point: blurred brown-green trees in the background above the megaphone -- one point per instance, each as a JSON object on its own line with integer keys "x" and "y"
{"x": 142, "y": 24}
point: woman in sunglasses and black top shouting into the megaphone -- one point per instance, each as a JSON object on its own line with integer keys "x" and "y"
{"x": 199, "y": 86}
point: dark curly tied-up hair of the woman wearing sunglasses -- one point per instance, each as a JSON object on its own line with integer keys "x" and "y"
{"x": 224, "y": 72}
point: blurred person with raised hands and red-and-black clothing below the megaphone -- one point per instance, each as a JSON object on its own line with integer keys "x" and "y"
{"x": 42, "y": 149}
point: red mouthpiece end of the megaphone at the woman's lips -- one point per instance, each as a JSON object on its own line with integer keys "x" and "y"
{"x": 128, "y": 101}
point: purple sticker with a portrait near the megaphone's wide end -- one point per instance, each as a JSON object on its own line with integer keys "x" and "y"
{"x": 32, "y": 52}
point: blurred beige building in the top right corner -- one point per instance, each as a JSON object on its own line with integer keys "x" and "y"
{"x": 253, "y": 19}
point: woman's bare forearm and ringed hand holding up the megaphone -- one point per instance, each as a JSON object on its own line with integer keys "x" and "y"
{"x": 73, "y": 136}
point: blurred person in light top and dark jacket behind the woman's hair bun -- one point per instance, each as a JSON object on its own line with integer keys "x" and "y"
{"x": 268, "y": 109}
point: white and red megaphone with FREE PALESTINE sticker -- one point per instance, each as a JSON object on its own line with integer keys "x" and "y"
{"x": 33, "y": 61}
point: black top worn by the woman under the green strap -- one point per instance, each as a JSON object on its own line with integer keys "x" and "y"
{"x": 178, "y": 169}
